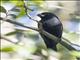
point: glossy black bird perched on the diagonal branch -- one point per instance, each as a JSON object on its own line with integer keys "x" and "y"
{"x": 51, "y": 24}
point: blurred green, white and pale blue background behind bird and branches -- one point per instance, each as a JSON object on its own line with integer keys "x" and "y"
{"x": 30, "y": 45}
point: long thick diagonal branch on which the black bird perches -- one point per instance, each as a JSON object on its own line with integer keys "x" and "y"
{"x": 56, "y": 39}
